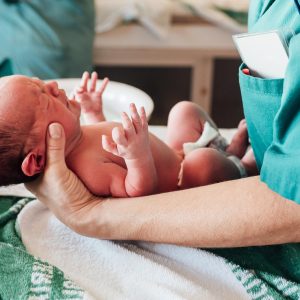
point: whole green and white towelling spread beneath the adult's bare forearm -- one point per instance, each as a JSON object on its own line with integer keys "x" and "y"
{"x": 270, "y": 272}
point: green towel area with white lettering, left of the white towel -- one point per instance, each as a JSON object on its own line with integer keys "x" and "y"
{"x": 23, "y": 276}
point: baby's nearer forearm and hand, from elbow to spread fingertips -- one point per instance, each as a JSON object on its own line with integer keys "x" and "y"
{"x": 131, "y": 142}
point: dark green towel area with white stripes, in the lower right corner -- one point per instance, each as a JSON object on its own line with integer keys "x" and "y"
{"x": 266, "y": 272}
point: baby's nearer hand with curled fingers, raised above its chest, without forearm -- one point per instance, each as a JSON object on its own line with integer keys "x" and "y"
{"x": 131, "y": 141}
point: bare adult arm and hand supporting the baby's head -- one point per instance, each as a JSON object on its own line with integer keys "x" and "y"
{"x": 229, "y": 214}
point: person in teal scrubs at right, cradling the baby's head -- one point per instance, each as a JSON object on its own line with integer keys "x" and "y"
{"x": 246, "y": 212}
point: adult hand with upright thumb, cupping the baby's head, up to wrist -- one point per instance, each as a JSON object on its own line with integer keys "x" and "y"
{"x": 60, "y": 189}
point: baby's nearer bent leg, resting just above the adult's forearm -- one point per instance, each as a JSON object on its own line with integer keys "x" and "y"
{"x": 206, "y": 166}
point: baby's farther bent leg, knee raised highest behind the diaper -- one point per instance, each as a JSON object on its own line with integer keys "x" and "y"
{"x": 185, "y": 124}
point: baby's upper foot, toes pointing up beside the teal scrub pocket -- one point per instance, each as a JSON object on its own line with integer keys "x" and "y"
{"x": 240, "y": 141}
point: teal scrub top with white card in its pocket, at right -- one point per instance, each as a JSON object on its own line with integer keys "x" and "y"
{"x": 272, "y": 107}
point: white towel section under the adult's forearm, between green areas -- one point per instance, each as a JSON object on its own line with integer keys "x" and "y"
{"x": 124, "y": 270}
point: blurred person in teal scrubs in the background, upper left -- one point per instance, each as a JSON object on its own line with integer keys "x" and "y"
{"x": 46, "y": 39}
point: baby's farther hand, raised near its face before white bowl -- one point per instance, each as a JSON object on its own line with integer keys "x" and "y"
{"x": 90, "y": 98}
